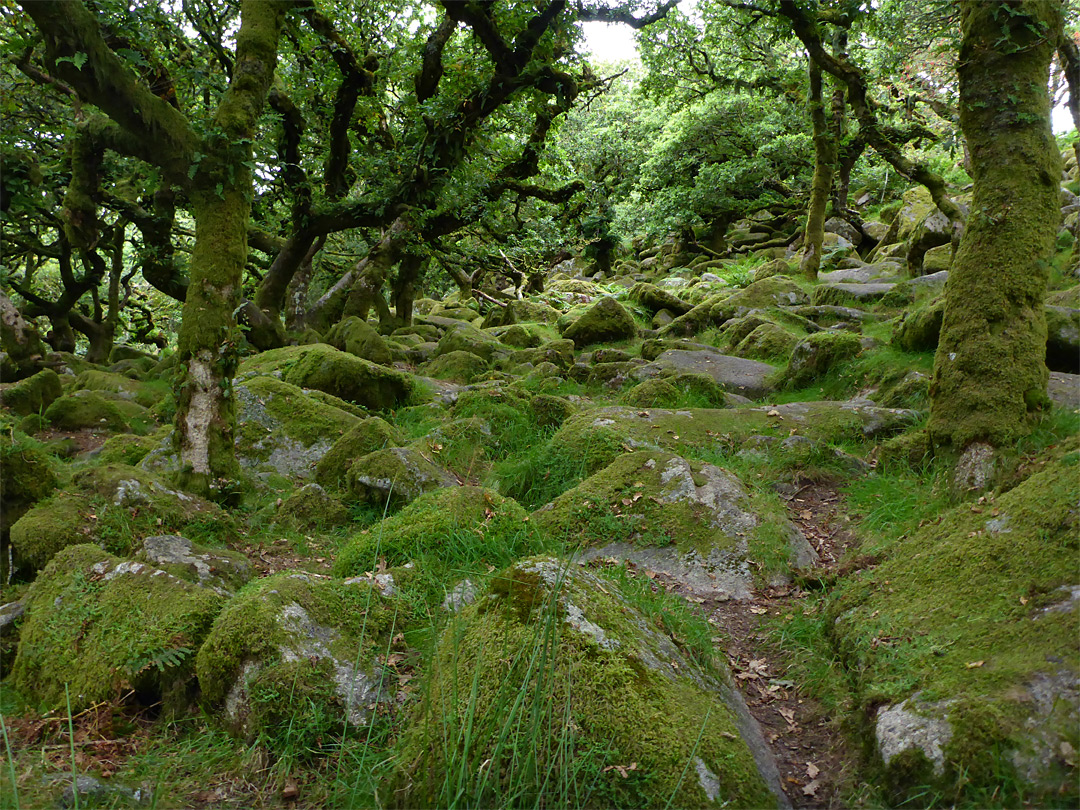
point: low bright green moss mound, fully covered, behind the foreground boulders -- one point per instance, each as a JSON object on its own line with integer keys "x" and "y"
{"x": 431, "y": 526}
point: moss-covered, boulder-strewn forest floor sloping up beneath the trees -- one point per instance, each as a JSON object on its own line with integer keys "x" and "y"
{"x": 555, "y": 441}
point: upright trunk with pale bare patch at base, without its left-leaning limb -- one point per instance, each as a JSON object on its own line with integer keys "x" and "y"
{"x": 221, "y": 204}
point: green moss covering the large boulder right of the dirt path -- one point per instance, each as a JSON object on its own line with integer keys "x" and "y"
{"x": 963, "y": 611}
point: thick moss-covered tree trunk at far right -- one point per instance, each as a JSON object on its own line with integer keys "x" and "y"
{"x": 990, "y": 371}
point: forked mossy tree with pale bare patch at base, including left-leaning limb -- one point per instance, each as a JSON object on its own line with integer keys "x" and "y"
{"x": 212, "y": 169}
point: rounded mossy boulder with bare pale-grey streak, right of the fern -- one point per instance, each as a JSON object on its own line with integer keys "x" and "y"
{"x": 296, "y": 660}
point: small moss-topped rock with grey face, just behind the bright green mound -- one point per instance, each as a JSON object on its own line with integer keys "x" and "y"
{"x": 396, "y": 476}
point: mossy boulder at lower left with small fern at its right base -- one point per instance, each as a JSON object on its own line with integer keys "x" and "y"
{"x": 98, "y": 626}
